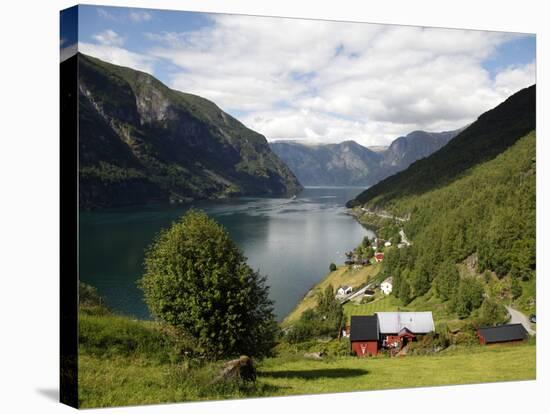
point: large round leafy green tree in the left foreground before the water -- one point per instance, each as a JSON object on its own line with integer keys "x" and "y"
{"x": 197, "y": 280}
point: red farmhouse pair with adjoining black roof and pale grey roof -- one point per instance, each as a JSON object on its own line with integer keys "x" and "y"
{"x": 393, "y": 330}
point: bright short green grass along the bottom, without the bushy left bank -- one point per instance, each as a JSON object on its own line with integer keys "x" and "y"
{"x": 127, "y": 381}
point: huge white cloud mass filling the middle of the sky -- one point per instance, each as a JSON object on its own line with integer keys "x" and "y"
{"x": 330, "y": 81}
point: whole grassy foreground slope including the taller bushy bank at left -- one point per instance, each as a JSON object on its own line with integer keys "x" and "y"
{"x": 125, "y": 362}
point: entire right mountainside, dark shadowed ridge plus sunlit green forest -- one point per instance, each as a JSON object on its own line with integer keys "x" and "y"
{"x": 469, "y": 211}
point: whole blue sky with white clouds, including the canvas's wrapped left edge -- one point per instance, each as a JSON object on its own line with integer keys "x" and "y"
{"x": 312, "y": 80}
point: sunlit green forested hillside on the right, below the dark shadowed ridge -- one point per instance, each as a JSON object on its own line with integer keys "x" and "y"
{"x": 484, "y": 222}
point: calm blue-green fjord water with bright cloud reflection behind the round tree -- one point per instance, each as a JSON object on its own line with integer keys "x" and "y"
{"x": 290, "y": 241}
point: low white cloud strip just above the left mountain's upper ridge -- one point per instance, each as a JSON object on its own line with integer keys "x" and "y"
{"x": 118, "y": 56}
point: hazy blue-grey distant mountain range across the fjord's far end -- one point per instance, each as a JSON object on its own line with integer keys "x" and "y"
{"x": 349, "y": 163}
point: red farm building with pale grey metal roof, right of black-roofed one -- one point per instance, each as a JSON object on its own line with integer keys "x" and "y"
{"x": 399, "y": 328}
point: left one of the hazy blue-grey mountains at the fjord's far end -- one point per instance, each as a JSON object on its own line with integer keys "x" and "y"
{"x": 346, "y": 163}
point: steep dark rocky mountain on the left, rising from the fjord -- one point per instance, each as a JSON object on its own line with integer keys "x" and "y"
{"x": 141, "y": 141}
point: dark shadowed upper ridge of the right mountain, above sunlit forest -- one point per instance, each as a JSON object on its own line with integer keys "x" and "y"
{"x": 491, "y": 134}
